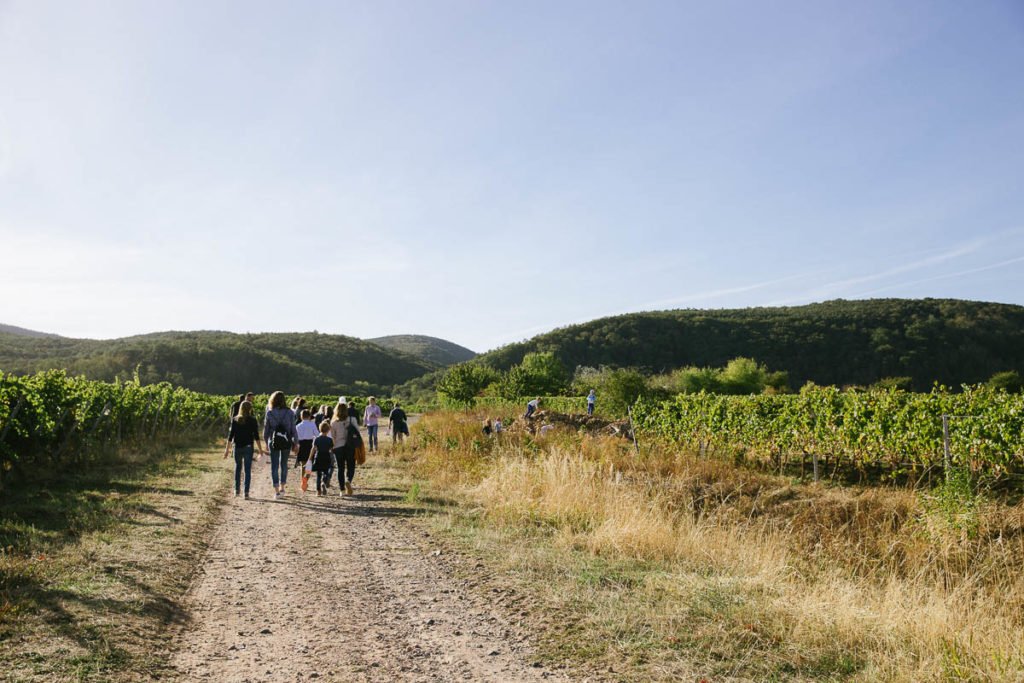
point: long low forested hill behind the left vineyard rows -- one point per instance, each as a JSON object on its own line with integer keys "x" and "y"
{"x": 223, "y": 362}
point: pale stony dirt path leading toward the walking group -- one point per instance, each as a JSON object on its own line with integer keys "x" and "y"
{"x": 344, "y": 589}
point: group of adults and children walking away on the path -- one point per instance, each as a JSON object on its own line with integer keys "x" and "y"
{"x": 323, "y": 443}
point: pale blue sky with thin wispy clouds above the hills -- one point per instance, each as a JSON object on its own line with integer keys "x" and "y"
{"x": 488, "y": 172}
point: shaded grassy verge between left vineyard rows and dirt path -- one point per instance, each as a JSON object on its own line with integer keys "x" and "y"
{"x": 94, "y": 565}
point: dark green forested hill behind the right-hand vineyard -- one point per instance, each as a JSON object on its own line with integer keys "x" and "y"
{"x": 836, "y": 343}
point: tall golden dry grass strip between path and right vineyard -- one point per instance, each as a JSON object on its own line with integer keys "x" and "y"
{"x": 686, "y": 567}
